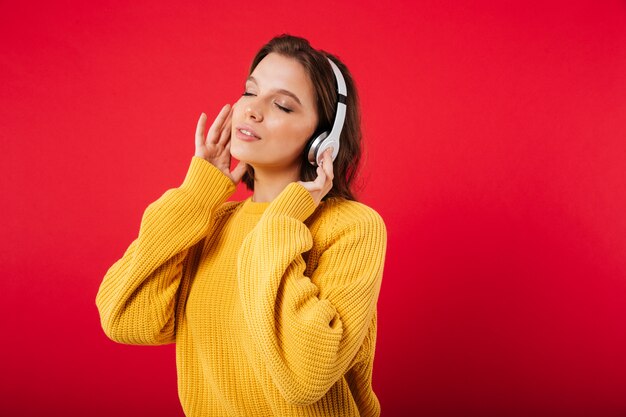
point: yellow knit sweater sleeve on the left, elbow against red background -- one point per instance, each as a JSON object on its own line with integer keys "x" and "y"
{"x": 137, "y": 297}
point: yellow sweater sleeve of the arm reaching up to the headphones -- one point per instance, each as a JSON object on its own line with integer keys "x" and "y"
{"x": 308, "y": 330}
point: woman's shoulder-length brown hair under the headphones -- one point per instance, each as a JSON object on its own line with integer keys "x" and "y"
{"x": 321, "y": 74}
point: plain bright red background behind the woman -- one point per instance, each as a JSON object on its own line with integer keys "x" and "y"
{"x": 495, "y": 134}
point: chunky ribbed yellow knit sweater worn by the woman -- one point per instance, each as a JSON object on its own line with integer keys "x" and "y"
{"x": 272, "y": 306}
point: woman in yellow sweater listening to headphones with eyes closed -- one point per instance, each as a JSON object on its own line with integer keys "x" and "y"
{"x": 271, "y": 301}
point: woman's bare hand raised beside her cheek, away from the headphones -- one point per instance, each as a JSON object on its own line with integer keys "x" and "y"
{"x": 216, "y": 147}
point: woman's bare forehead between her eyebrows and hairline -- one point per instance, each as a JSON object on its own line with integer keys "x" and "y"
{"x": 278, "y": 72}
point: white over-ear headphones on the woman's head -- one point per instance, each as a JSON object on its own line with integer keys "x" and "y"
{"x": 327, "y": 139}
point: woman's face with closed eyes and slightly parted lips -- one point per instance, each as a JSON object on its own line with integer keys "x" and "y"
{"x": 276, "y": 116}
